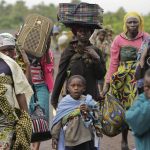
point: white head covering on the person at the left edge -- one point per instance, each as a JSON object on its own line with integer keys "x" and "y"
{"x": 6, "y": 39}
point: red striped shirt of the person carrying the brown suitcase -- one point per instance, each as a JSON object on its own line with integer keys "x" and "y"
{"x": 37, "y": 74}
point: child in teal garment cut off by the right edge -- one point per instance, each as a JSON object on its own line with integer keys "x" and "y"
{"x": 138, "y": 116}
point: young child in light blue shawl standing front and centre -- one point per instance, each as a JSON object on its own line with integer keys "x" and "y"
{"x": 78, "y": 116}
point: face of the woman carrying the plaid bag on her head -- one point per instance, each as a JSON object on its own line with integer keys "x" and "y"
{"x": 83, "y": 34}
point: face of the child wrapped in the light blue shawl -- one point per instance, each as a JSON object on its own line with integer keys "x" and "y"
{"x": 76, "y": 88}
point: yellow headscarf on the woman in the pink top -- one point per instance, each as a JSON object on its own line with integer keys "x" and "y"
{"x": 137, "y": 16}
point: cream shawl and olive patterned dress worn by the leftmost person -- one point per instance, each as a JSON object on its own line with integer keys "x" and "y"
{"x": 15, "y": 129}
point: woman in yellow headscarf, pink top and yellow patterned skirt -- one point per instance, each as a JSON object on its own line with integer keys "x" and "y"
{"x": 120, "y": 75}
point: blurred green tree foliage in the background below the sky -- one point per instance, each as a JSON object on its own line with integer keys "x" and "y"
{"x": 12, "y": 16}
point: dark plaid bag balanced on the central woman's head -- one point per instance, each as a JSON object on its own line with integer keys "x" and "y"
{"x": 82, "y": 13}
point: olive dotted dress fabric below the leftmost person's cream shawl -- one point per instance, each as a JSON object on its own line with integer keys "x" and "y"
{"x": 23, "y": 127}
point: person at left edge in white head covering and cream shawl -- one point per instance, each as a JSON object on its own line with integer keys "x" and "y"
{"x": 15, "y": 92}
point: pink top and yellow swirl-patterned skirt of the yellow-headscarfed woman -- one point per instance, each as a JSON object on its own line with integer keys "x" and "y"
{"x": 122, "y": 68}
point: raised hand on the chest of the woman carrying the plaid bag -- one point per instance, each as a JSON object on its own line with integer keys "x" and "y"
{"x": 91, "y": 52}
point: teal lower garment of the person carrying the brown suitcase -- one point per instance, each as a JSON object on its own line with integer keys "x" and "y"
{"x": 43, "y": 99}
